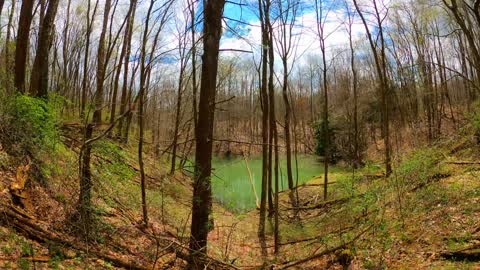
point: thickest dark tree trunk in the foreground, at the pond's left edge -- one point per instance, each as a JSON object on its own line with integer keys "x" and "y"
{"x": 202, "y": 197}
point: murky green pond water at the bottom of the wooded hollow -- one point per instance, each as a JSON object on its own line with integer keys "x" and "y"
{"x": 231, "y": 183}
